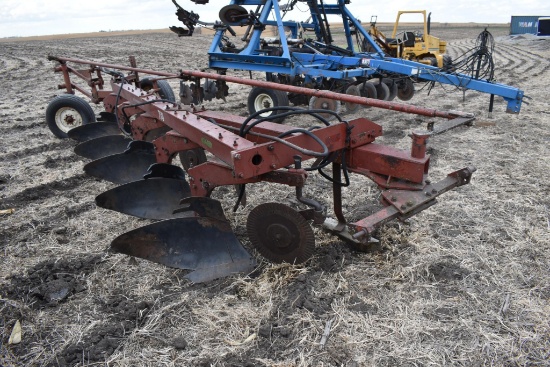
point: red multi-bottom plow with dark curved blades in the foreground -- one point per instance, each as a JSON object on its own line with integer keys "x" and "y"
{"x": 143, "y": 129}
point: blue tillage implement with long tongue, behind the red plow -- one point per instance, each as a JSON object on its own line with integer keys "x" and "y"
{"x": 289, "y": 57}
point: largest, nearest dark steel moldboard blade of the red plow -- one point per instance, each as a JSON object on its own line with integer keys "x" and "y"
{"x": 205, "y": 245}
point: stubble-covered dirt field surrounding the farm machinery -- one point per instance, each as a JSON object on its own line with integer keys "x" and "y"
{"x": 465, "y": 283}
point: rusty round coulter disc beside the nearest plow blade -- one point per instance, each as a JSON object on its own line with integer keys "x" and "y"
{"x": 280, "y": 233}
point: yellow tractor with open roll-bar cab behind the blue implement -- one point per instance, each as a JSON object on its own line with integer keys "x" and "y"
{"x": 410, "y": 44}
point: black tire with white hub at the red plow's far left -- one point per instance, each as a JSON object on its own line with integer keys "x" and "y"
{"x": 66, "y": 112}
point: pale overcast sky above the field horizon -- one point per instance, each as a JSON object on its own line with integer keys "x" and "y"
{"x": 20, "y": 18}
